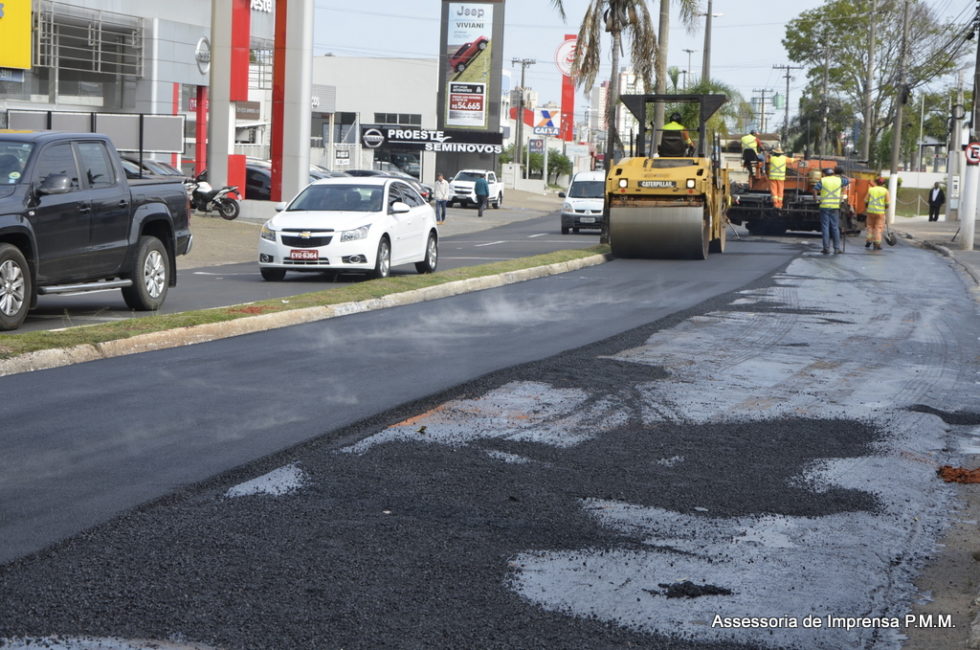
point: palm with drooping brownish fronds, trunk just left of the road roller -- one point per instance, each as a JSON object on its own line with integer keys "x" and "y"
{"x": 615, "y": 17}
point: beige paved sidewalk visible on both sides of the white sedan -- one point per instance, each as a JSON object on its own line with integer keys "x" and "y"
{"x": 217, "y": 241}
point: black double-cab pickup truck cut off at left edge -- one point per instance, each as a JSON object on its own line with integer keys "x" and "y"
{"x": 70, "y": 221}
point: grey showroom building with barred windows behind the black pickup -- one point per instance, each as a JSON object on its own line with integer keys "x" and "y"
{"x": 127, "y": 56}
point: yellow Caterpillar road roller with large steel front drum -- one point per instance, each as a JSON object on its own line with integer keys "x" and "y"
{"x": 670, "y": 204}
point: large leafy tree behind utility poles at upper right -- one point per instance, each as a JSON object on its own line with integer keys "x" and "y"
{"x": 831, "y": 42}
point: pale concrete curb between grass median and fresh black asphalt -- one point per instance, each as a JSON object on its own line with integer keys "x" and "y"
{"x": 56, "y": 358}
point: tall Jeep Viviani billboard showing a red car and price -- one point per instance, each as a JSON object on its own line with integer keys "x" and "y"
{"x": 469, "y": 57}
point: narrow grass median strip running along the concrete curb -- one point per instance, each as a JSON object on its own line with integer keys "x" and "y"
{"x": 13, "y": 345}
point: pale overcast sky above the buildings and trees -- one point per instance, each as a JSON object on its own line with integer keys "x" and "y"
{"x": 746, "y": 39}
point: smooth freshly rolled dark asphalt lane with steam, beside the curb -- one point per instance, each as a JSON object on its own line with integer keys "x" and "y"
{"x": 130, "y": 429}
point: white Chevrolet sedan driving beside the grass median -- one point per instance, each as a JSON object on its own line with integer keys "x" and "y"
{"x": 350, "y": 224}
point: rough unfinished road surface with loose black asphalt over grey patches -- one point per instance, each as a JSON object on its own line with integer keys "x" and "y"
{"x": 539, "y": 422}
